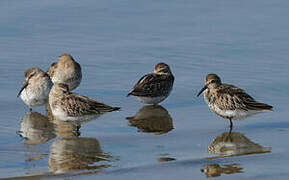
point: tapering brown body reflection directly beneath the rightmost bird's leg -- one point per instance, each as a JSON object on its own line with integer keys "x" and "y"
{"x": 235, "y": 144}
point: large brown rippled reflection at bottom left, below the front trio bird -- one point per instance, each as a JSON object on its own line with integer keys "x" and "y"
{"x": 72, "y": 154}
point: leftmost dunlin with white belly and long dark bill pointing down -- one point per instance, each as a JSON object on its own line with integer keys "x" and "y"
{"x": 35, "y": 88}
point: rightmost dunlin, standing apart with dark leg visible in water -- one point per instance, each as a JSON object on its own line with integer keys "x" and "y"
{"x": 230, "y": 102}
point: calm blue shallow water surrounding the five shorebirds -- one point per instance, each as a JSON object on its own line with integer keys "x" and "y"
{"x": 116, "y": 42}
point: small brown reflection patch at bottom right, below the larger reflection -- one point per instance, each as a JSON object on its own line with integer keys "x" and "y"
{"x": 215, "y": 170}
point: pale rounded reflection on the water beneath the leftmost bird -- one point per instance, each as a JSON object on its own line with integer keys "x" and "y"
{"x": 36, "y": 128}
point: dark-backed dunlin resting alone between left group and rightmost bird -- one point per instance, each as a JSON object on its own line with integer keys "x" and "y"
{"x": 155, "y": 87}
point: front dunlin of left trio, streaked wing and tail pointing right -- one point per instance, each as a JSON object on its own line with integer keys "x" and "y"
{"x": 74, "y": 107}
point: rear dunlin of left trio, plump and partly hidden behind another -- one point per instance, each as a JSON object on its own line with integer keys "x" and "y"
{"x": 66, "y": 71}
